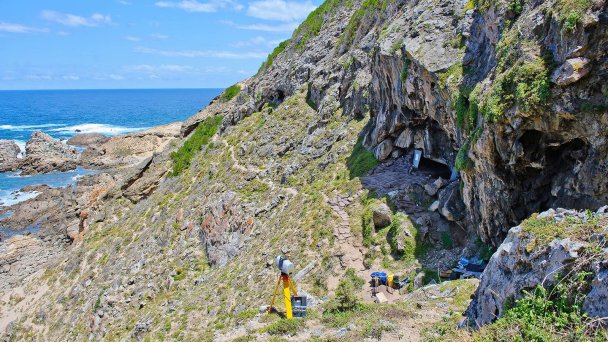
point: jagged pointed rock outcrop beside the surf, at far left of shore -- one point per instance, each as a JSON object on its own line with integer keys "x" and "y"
{"x": 43, "y": 154}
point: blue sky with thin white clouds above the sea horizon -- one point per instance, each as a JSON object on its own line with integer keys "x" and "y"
{"x": 107, "y": 44}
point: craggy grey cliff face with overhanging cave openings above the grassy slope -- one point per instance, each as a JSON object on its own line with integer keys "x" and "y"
{"x": 517, "y": 88}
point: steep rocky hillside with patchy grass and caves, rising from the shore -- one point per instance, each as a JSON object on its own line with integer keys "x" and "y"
{"x": 508, "y": 95}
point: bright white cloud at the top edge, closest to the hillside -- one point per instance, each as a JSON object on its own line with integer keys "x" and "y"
{"x": 280, "y": 10}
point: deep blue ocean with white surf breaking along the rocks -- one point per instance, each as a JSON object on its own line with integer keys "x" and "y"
{"x": 64, "y": 113}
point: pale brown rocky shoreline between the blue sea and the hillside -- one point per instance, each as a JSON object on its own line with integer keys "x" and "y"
{"x": 43, "y": 226}
